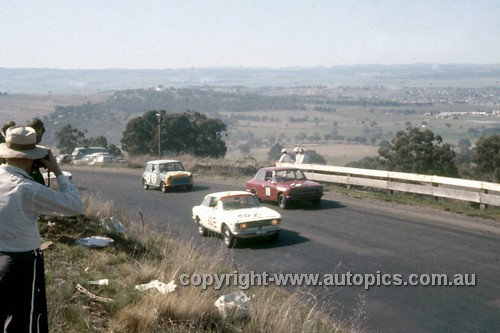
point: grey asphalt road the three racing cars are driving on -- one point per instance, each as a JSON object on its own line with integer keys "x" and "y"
{"x": 346, "y": 235}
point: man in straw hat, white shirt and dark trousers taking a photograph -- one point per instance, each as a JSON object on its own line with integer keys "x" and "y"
{"x": 23, "y": 305}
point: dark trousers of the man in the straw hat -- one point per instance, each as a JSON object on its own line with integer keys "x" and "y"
{"x": 23, "y": 303}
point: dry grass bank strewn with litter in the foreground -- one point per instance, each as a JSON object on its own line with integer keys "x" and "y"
{"x": 141, "y": 256}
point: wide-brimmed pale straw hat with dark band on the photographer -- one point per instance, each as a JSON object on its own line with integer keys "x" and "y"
{"x": 20, "y": 142}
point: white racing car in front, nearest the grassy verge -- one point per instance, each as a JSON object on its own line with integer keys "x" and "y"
{"x": 236, "y": 214}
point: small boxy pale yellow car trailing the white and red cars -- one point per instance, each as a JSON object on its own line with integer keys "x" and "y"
{"x": 166, "y": 174}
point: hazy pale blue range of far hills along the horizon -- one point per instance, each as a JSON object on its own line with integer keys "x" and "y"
{"x": 52, "y": 81}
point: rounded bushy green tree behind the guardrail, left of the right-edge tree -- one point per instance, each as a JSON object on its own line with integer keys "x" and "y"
{"x": 419, "y": 152}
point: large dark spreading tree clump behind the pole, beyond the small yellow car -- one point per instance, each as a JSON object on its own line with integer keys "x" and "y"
{"x": 189, "y": 132}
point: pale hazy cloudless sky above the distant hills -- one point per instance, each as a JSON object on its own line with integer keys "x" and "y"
{"x": 156, "y": 34}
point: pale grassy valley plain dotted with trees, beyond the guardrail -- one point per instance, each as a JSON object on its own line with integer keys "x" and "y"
{"x": 373, "y": 123}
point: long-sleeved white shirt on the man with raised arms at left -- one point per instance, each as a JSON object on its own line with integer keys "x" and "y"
{"x": 21, "y": 201}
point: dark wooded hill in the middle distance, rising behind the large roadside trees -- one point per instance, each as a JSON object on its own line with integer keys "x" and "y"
{"x": 111, "y": 116}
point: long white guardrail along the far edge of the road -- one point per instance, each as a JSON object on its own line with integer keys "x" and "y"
{"x": 484, "y": 193}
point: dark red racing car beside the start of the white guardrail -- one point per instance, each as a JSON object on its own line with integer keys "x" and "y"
{"x": 284, "y": 185}
